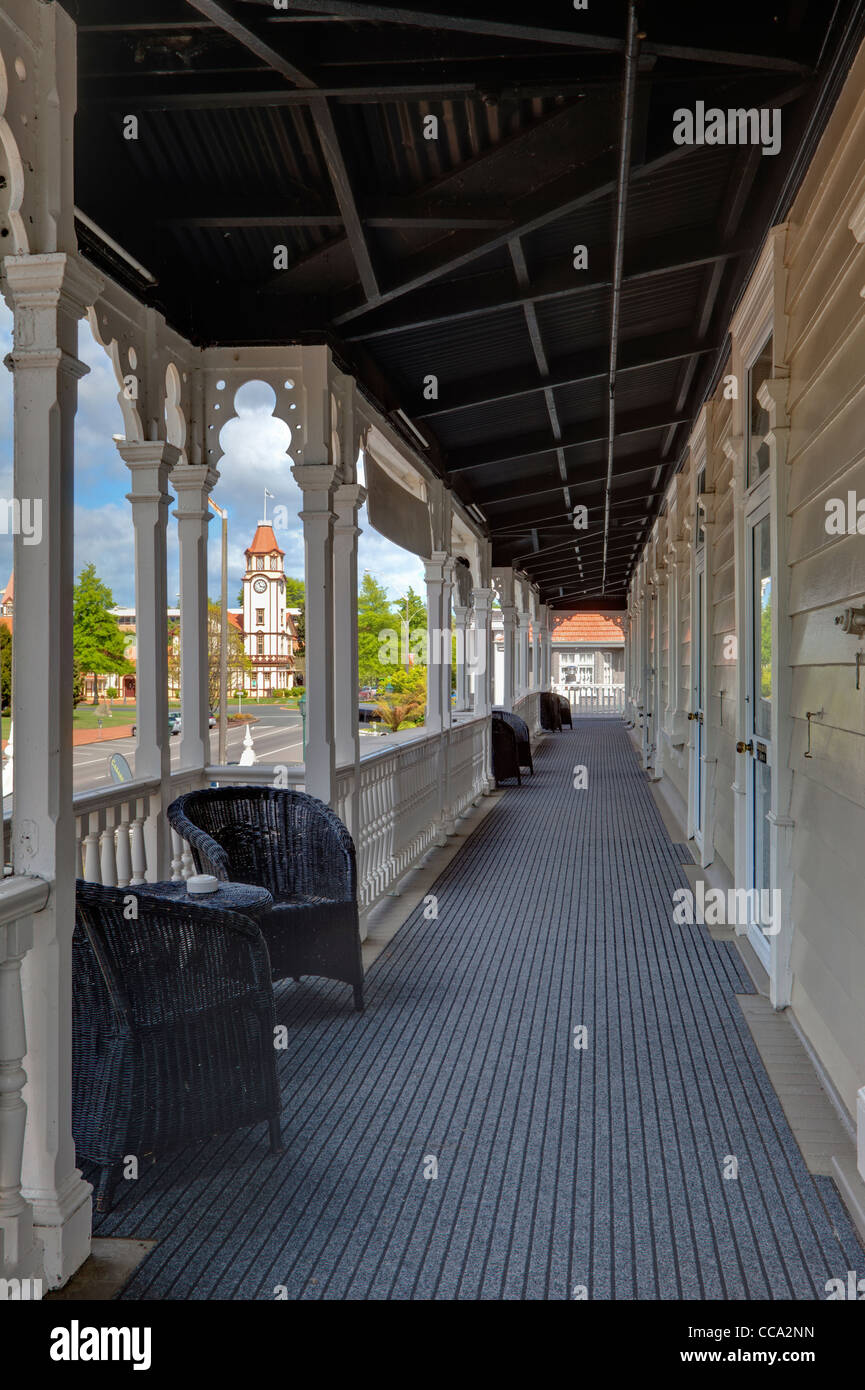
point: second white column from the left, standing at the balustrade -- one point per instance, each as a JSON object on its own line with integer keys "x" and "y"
{"x": 149, "y": 465}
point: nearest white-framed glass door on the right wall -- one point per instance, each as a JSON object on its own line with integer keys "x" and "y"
{"x": 759, "y": 723}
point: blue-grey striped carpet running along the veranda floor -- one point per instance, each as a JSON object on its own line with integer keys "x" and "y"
{"x": 560, "y": 1170}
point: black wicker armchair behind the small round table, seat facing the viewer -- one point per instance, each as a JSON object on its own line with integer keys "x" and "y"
{"x": 297, "y": 849}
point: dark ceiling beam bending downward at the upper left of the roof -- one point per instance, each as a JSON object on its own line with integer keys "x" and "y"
{"x": 258, "y": 44}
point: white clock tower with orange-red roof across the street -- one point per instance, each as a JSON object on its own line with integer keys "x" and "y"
{"x": 268, "y": 625}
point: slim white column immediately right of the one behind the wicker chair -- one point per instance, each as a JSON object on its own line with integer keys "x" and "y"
{"x": 348, "y": 500}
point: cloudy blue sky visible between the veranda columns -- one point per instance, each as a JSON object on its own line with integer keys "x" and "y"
{"x": 255, "y": 459}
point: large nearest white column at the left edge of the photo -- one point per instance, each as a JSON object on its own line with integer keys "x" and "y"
{"x": 49, "y": 294}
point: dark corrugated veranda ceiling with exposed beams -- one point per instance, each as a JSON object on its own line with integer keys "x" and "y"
{"x": 453, "y": 258}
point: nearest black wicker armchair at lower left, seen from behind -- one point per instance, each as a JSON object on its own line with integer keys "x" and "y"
{"x": 173, "y": 1029}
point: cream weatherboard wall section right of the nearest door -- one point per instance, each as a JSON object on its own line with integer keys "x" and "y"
{"x": 827, "y": 355}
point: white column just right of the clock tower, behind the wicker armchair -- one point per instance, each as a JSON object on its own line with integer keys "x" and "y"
{"x": 318, "y": 483}
